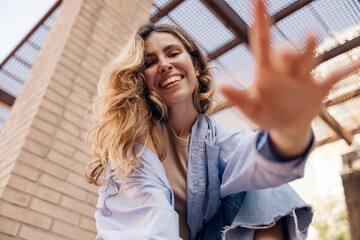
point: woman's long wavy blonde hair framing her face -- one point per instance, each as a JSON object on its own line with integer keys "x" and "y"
{"x": 125, "y": 111}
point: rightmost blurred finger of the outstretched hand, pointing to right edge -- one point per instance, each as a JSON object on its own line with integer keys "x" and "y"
{"x": 336, "y": 76}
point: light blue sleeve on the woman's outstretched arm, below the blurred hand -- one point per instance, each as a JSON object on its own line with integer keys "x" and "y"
{"x": 248, "y": 162}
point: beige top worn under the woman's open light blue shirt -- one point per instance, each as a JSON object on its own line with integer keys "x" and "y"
{"x": 175, "y": 164}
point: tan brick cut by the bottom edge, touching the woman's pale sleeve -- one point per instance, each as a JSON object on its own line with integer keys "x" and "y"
{"x": 70, "y": 231}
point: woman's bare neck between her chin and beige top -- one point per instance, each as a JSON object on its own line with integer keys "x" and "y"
{"x": 181, "y": 120}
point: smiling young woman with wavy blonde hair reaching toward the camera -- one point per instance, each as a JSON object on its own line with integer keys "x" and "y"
{"x": 167, "y": 170}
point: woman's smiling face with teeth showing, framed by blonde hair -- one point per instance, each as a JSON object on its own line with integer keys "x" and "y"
{"x": 169, "y": 69}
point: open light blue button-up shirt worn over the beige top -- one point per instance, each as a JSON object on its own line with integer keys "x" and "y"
{"x": 222, "y": 161}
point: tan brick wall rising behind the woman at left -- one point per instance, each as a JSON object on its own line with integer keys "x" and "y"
{"x": 43, "y": 194}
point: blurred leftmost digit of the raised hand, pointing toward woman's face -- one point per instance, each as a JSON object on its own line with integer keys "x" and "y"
{"x": 239, "y": 98}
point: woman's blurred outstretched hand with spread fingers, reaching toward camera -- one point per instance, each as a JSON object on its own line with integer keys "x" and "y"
{"x": 284, "y": 97}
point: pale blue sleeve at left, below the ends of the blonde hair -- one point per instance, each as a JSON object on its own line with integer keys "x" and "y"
{"x": 141, "y": 207}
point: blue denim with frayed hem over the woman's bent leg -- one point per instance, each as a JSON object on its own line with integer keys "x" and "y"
{"x": 239, "y": 215}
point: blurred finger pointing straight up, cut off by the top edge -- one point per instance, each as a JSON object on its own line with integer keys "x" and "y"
{"x": 259, "y": 33}
